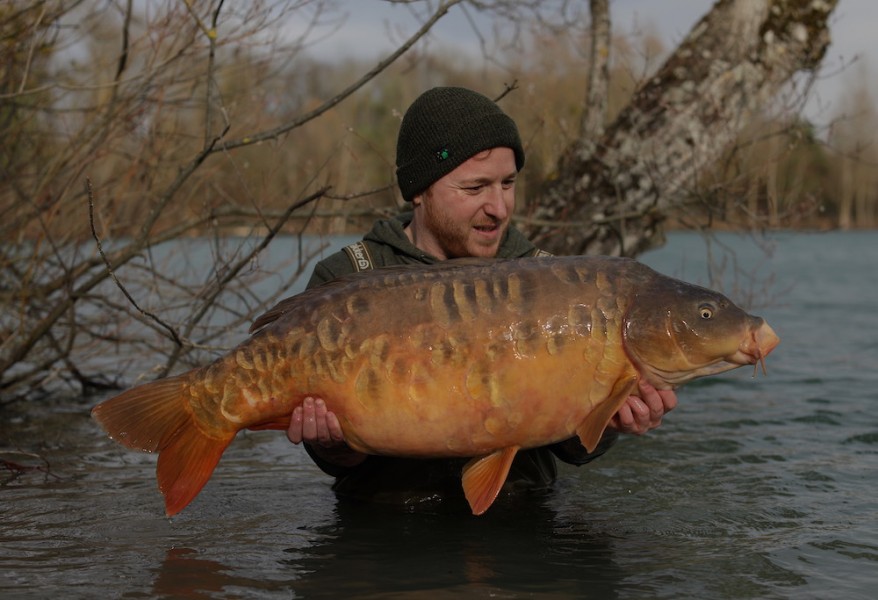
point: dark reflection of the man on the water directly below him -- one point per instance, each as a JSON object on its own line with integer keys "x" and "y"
{"x": 512, "y": 553}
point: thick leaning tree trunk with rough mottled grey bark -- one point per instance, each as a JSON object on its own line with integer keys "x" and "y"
{"x": 610, "y": 197}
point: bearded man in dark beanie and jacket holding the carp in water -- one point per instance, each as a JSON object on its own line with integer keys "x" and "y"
{"x": 458, "y": 155}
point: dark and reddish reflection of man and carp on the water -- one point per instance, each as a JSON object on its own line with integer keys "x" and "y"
{"x": 369, "y": 552}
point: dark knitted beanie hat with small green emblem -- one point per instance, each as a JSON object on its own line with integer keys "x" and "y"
{"x": 444, "y": 128}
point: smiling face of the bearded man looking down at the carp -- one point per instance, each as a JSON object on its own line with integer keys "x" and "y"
{"x": 467, "y": 212}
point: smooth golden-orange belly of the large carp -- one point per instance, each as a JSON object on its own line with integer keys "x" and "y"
{"x": 471, "y": 408}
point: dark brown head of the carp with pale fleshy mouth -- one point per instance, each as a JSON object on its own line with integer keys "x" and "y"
{"x": 675, "y": 332}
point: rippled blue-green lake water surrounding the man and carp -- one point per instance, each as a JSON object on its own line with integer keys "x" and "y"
{"x": 755, "y": 487}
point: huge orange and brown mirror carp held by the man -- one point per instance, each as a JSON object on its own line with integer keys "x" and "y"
{"x": 468, "y": 358}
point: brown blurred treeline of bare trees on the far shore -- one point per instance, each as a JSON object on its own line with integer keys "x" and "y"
{"x": 131, "y": 136}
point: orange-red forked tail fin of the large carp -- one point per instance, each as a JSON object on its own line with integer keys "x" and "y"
{"x": 155, "y": 417}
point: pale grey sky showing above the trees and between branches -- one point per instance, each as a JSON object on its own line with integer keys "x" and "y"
{"x": 853, "y": 26}
